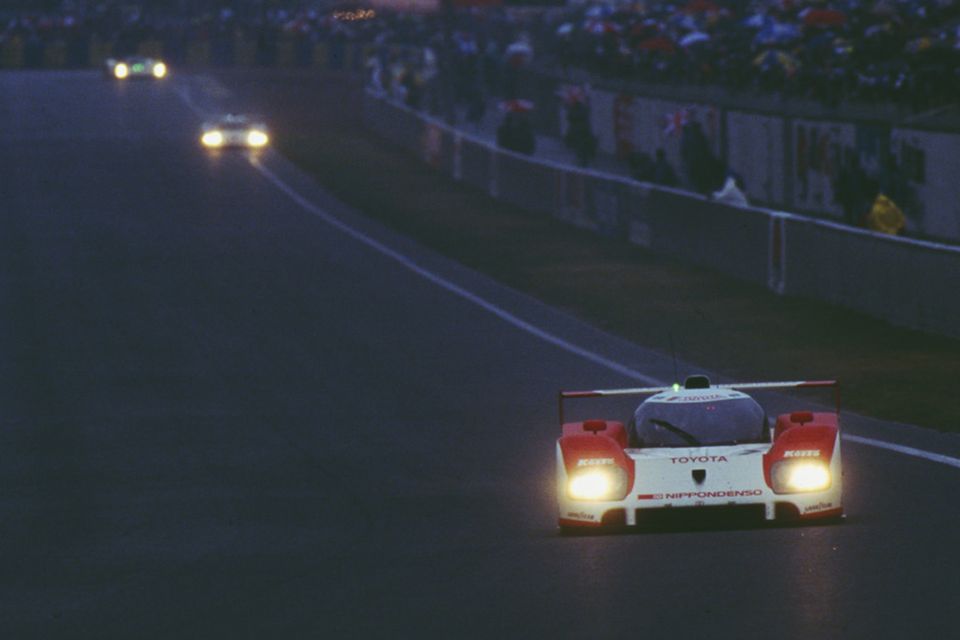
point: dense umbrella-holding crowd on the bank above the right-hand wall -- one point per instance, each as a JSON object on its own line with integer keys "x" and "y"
{"x": 904, "y": 51}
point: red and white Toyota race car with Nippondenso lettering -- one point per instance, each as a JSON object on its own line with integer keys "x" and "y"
{"x": 698, "y": 449}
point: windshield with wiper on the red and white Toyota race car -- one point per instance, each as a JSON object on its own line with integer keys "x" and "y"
{"x": 691, "y": 424}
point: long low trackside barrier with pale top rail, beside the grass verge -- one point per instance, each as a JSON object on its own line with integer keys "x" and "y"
{"x": 906, "y": 282}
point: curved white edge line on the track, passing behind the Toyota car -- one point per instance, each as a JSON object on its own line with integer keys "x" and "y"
{"x": 526, "y": 326}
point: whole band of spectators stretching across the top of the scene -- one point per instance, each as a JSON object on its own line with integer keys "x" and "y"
{"x": 904, "y": 51}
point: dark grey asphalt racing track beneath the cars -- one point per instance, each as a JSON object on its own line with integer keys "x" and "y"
{"x": 223, "y": 415}
